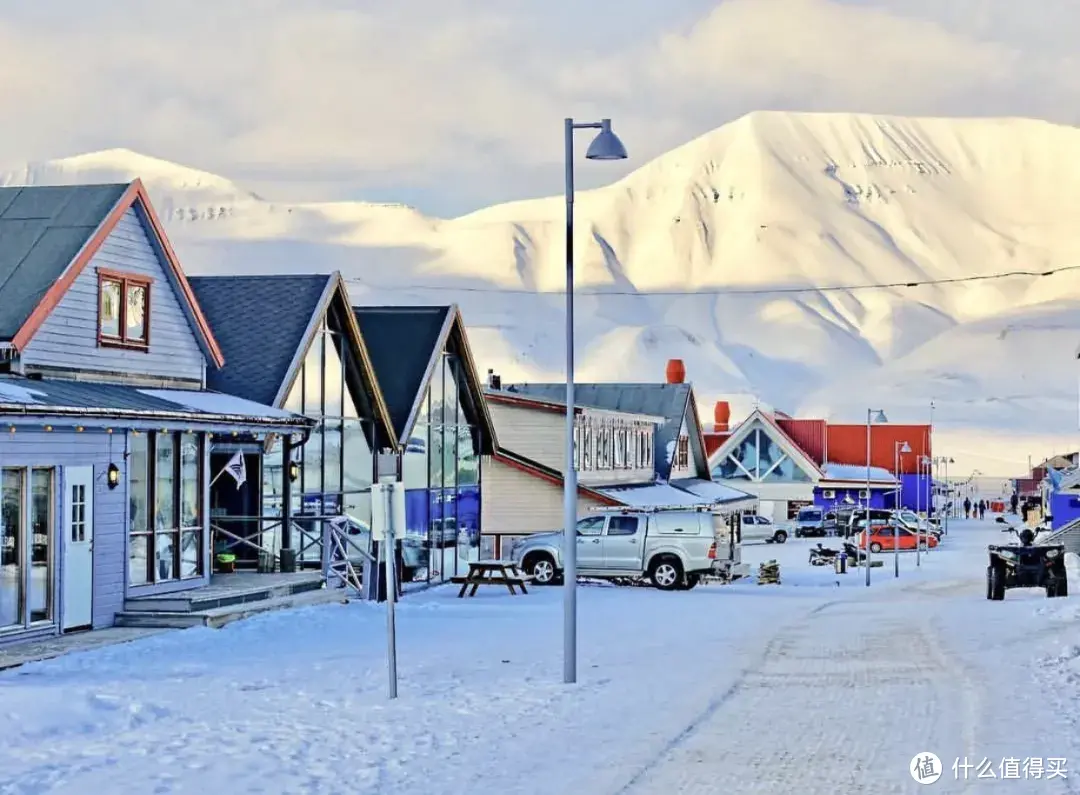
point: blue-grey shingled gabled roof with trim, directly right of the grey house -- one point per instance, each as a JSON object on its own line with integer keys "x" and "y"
{"x": 267, "y": 325}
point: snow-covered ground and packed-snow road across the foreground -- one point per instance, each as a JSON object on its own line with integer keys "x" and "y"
{"x": 818, "y": 685}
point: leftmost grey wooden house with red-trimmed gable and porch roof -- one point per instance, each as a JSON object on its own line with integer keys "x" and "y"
{"x": 106, "y": 423}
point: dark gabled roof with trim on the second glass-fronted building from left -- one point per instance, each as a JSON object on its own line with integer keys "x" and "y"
{"x": 406, "y": 345}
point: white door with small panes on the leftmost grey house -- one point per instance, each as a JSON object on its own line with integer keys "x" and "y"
{"x": 78, "y": 530}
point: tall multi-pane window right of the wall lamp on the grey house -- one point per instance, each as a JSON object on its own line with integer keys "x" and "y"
{"x": 166, "y": 473}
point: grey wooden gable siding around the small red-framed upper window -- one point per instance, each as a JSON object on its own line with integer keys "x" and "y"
{"x": 69, "y": 338}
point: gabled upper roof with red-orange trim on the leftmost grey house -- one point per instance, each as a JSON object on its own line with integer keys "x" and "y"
{"x": 50, "y": 234}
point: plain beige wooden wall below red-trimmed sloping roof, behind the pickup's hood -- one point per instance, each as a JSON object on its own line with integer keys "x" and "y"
{"x": 518, "y": 503}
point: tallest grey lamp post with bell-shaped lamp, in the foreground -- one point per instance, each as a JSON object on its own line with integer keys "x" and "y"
{"x": 605, "y": 146}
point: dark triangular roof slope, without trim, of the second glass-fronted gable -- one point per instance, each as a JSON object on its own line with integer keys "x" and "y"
{"x": 401, "y": 342}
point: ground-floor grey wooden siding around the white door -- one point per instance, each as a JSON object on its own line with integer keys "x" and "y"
{"x": 70, "y": 449}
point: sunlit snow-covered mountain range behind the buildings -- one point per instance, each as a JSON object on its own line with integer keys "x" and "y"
{"x": 677, "y": 260}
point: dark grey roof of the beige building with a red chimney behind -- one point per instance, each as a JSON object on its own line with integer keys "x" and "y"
{"x": 660, "y": 400}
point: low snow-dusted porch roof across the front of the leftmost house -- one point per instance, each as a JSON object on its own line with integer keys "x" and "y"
{"x": 45, "y": 398}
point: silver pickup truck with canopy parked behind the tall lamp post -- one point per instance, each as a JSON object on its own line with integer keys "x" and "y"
{"x": 674, "y": 548}
